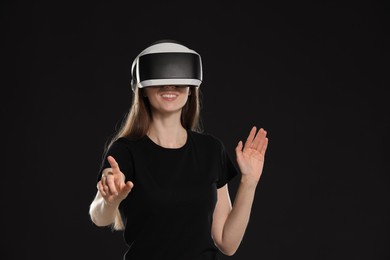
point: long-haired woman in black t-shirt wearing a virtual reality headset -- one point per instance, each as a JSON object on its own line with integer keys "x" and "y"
{"x": 162, "y": 180}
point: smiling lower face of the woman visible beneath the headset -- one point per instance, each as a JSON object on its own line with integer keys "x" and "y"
{"x": 167, "y": 99}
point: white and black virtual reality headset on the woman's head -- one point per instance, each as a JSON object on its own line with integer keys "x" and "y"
{"x": 164, "y": 63}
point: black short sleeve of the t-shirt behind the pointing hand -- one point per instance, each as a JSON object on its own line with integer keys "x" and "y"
{"x": 121, "y": 153}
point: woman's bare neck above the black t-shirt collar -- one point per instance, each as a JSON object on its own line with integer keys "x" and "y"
{"x": 167, "y": 132}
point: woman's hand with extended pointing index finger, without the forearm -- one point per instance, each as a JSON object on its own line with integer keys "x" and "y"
{"x": 112, "y": 185}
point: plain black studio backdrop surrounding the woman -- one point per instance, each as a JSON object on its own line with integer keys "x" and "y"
{"x": 315, "y": 76}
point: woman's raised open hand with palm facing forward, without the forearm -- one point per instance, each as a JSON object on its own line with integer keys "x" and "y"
{"x": 250, "y": 156}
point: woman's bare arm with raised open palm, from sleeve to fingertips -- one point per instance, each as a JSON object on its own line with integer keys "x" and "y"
{"x": 230, "y": 222}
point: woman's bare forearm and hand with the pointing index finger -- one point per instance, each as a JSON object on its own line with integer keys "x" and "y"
{"x": 112, "y": 189}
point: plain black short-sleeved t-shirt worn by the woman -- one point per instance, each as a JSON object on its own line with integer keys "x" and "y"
{"x": 168, "y": 213}
